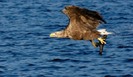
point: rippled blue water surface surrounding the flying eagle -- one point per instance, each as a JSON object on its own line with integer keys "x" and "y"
{"x": 26, "y": 50}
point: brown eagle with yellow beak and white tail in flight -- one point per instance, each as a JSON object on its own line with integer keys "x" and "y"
{"x": 83, "y": 25}
